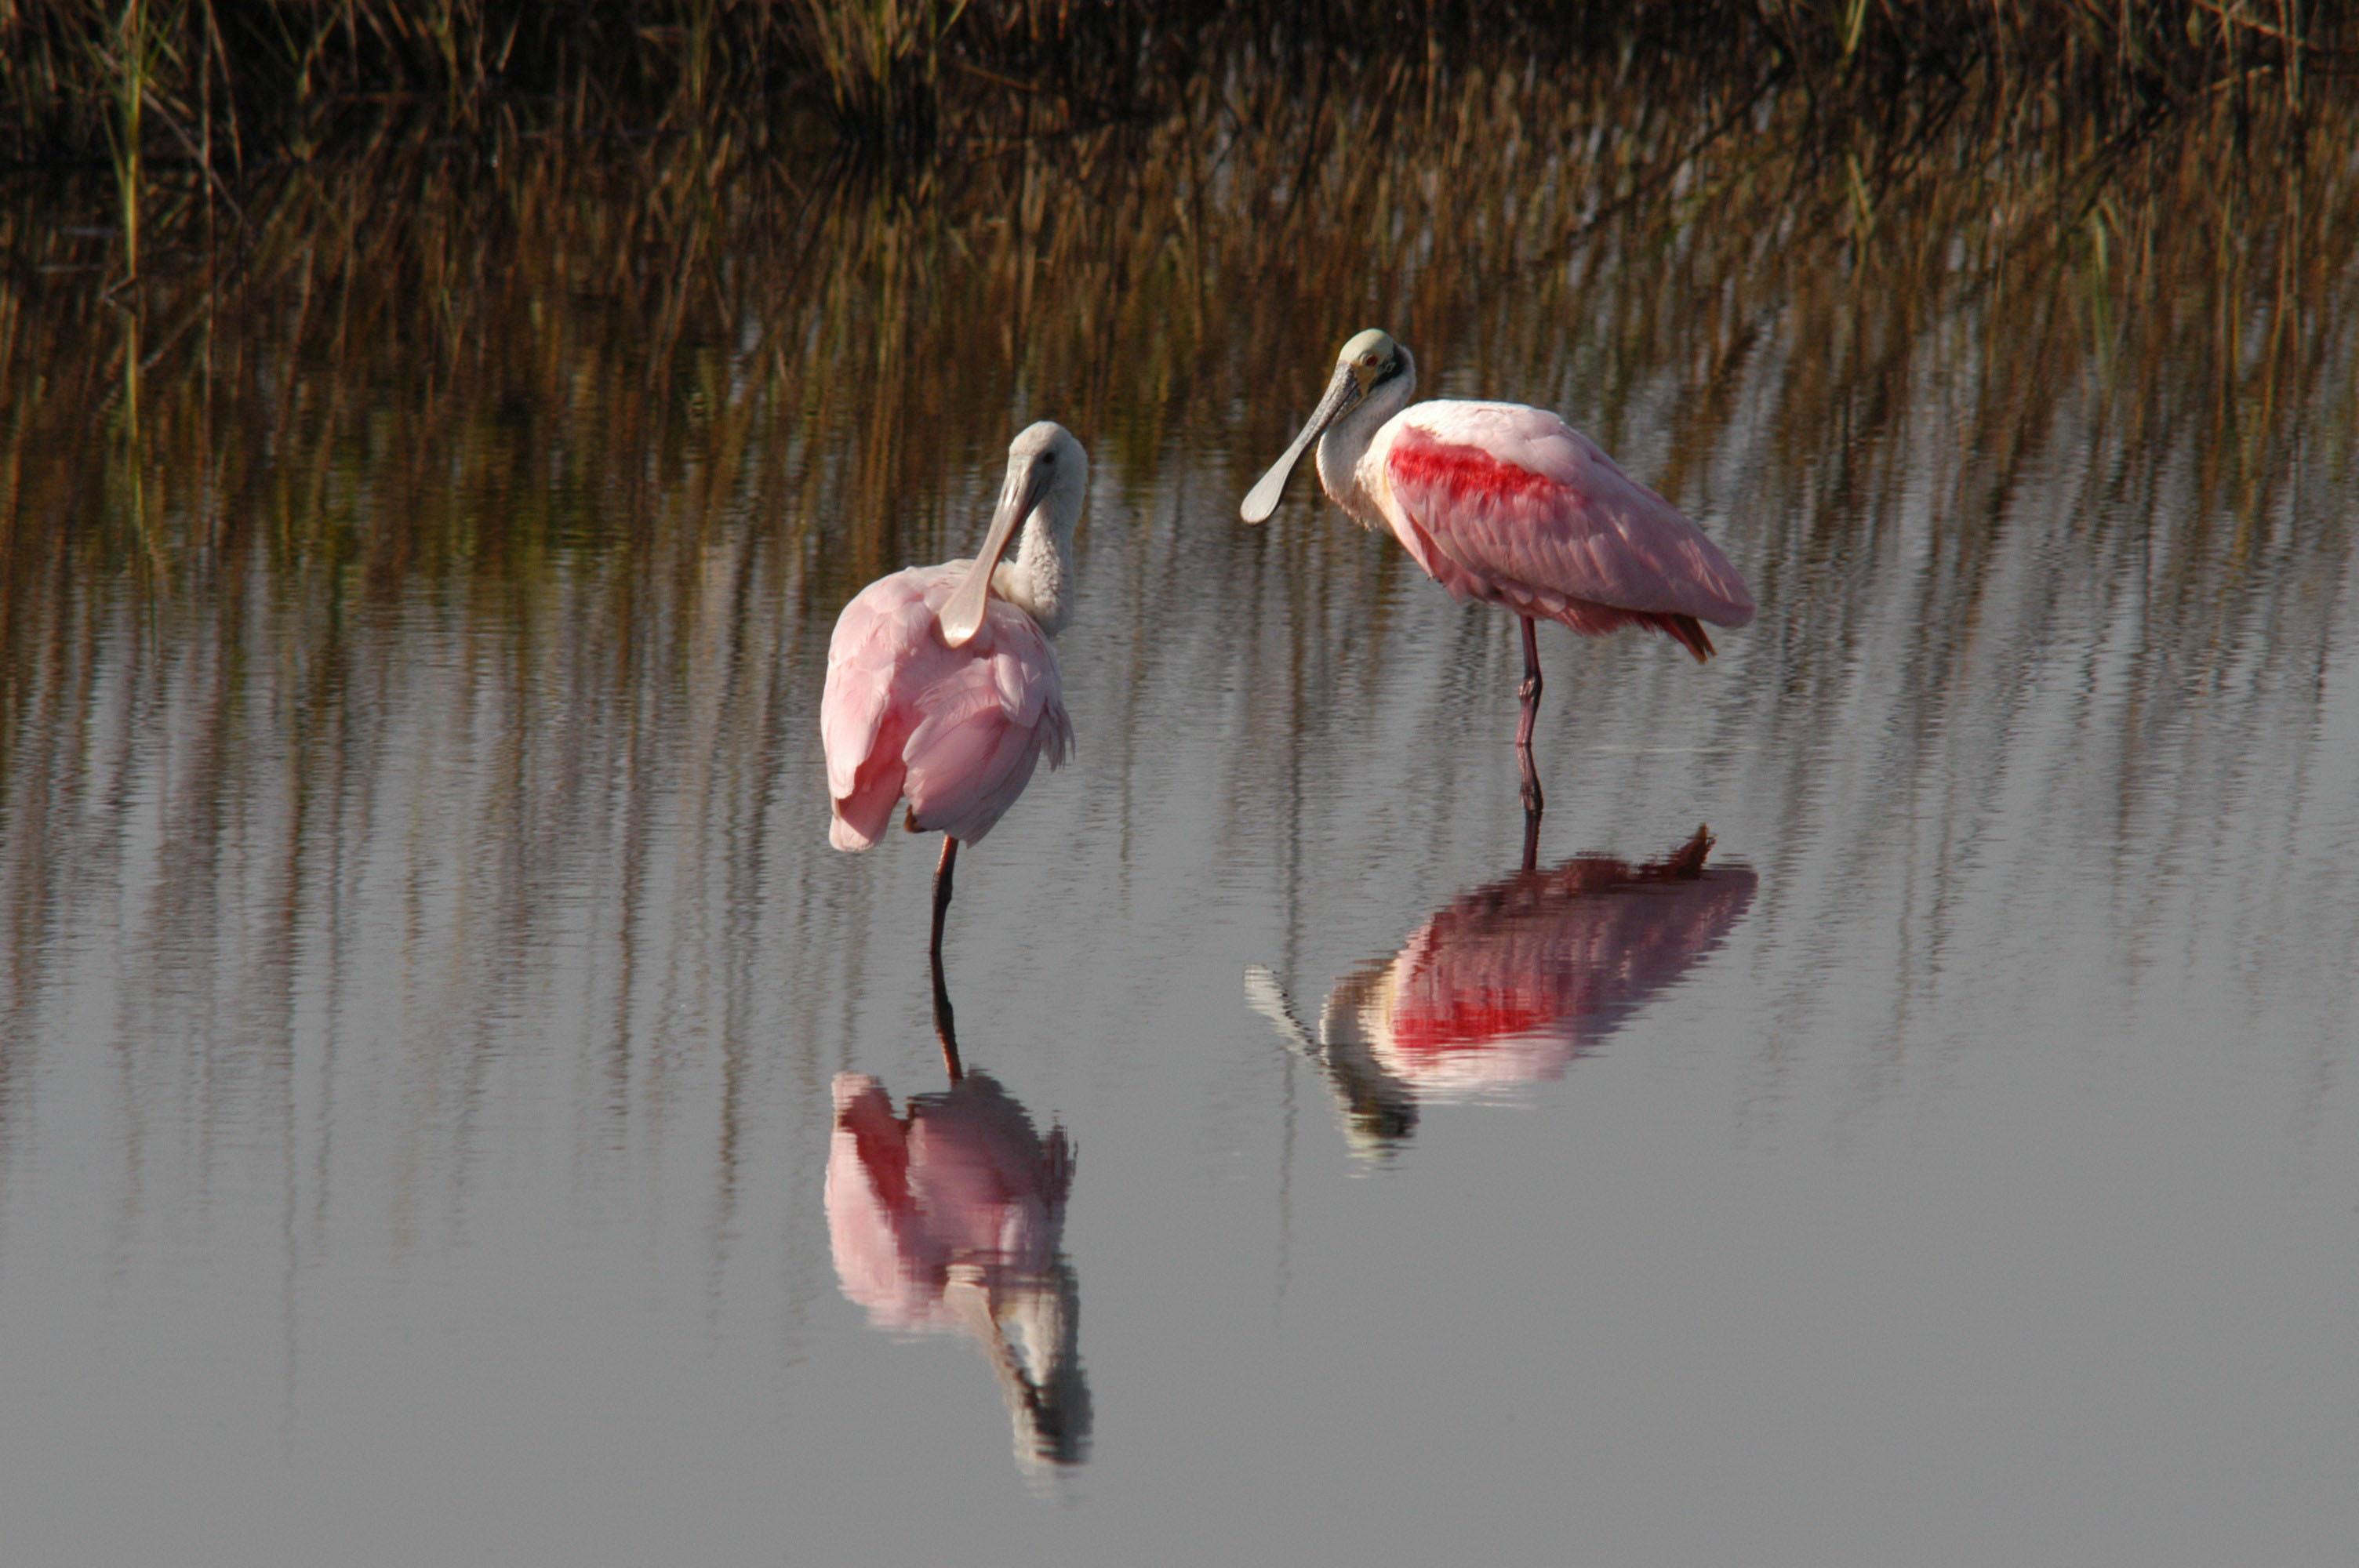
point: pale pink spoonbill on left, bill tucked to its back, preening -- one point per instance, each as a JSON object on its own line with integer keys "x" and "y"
{"x": 942, "y": 685}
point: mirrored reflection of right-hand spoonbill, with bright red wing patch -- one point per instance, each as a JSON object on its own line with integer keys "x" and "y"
{"x": 1509, "y": 984}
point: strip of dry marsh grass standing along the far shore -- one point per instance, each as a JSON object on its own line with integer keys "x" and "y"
{"x": 225, "y": 86}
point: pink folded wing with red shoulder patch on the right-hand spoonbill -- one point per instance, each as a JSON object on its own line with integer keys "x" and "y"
{"x": 1511, "y": 503}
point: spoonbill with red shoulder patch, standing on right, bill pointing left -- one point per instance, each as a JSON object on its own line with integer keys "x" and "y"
{"x": 1511, "y": 506}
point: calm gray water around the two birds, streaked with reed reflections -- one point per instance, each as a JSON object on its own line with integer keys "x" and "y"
{"x": 426, "y": 980}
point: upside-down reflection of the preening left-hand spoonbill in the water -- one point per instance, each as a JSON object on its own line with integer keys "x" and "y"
{"x": 952, "y": 1218}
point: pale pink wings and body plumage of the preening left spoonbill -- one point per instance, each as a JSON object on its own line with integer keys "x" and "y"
{"x": 954, "y": 730}
